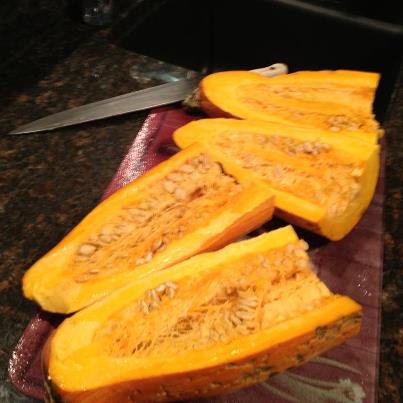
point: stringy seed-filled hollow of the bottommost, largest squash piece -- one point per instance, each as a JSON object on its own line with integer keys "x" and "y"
{"x": 231, "y": 302}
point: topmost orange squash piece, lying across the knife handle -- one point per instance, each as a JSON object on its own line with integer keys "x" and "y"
{"x": 339, "y": 101}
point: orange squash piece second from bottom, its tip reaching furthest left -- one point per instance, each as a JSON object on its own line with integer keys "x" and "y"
{"x": 186, "y": 205}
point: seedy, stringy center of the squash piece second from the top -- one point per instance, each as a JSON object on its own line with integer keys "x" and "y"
{"x": 310, "y": 170}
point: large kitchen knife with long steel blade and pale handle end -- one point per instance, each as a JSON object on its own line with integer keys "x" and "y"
{"x": 133, "y": 101}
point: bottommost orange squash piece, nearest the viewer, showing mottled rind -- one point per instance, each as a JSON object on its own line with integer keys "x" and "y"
{"x": 213, "y": 324}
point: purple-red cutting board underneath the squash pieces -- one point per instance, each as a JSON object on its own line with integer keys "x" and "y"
{"x": 352, "y": 266}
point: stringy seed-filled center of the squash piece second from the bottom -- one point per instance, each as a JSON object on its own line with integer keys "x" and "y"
{"x": 165, "y": 211}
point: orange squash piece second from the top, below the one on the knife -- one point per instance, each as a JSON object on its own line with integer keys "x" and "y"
{"x": 323, "y": 183}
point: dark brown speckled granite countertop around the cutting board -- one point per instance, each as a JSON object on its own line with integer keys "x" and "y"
{"x": 50, "y": 182}
